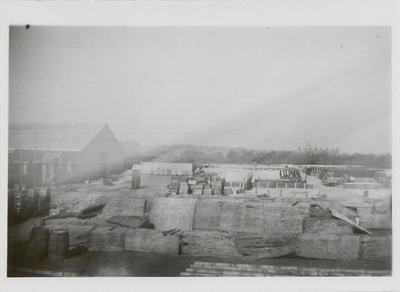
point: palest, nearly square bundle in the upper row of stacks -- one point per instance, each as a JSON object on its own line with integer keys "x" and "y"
{"x": 169, "y": 213}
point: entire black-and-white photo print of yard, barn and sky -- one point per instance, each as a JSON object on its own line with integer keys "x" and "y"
{"x": 200, "y": 151}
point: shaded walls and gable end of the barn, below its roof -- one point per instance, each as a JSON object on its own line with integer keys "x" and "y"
{"x": 102, "y": 156}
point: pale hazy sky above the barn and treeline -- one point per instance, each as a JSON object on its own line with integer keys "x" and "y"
{"x": 254, "y": 87}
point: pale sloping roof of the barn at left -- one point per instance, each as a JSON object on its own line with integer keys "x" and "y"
{"x": 52, "y": 136}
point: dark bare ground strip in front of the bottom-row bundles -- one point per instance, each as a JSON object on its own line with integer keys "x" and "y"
{"x": 134, "y": 264}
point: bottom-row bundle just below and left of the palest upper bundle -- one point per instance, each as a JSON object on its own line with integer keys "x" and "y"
{"x": 145, "y": 240}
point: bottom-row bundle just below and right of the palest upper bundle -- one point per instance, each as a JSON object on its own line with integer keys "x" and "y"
{"x": 209, "y": 243}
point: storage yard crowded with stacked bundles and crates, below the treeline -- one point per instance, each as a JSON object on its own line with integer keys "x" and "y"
{"x": 216, "y": 221}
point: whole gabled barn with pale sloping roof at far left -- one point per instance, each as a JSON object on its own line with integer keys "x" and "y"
{"x": 42, "y": 154}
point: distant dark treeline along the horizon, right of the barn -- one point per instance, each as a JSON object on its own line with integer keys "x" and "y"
{"x": 203, "y": 154}
